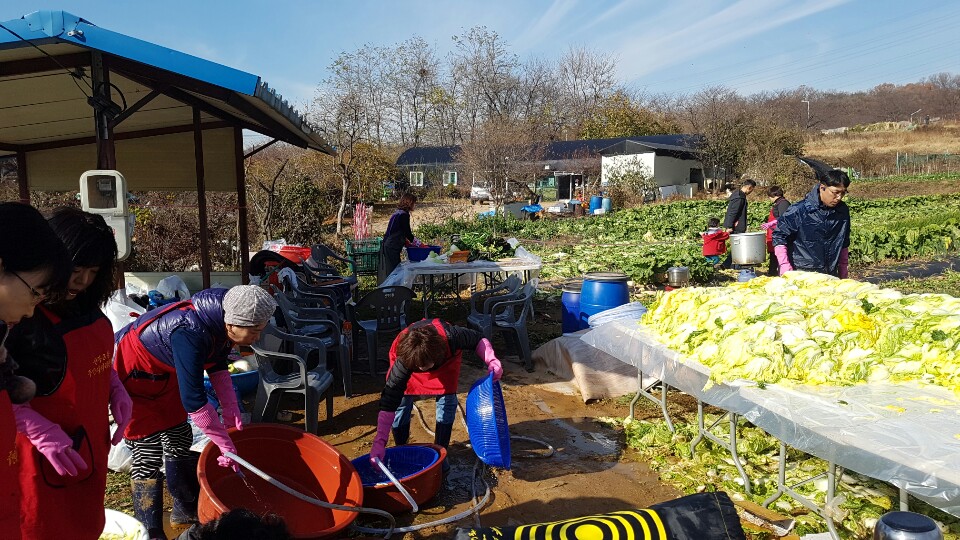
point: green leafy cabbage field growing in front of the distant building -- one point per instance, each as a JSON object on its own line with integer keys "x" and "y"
{"x": 645, "y": 241}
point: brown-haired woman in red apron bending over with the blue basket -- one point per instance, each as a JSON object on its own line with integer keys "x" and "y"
{"x": 425, "y": 361}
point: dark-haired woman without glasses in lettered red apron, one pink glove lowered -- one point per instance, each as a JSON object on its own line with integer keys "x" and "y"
{"x": 67, "y": 349}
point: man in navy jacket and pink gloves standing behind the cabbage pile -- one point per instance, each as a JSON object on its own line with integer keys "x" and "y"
{"x": 814, "y": 234}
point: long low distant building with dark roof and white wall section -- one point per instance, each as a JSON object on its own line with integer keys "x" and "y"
{"x": 567, "y": 164}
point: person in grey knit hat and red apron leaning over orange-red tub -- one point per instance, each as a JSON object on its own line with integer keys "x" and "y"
{"x": 160, "y": 358}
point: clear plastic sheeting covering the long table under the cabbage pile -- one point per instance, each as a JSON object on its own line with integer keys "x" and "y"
{"x": 904, "y": 434}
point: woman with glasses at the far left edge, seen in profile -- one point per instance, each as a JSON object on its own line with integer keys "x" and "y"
{"x": 33, "y": 265}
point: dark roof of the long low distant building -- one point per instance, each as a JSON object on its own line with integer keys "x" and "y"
{"x": 565, "y": 150}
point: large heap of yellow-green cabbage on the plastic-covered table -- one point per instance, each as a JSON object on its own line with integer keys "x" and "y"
{"x": 813, "y": 329}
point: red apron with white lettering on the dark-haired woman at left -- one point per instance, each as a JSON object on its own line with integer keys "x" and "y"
{"x": 79, "y": 406}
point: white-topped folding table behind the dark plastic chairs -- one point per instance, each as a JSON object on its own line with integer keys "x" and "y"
{"x": 407, "y": 273}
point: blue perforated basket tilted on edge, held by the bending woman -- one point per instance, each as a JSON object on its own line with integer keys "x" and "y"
{"x": 487, "y": 423}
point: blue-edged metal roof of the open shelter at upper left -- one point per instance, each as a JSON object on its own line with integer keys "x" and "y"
{"x": 45, "y": 80}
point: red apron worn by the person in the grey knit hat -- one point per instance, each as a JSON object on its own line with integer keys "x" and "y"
{"x": 151, "y": 383}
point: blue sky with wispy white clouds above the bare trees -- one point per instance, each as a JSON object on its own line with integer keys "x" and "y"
{"x": 674, "y": 46}
